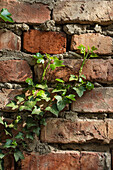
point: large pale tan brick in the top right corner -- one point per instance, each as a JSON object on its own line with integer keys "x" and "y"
{"x": 83, "y": 12}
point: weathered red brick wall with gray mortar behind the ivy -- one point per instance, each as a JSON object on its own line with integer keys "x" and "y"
{"x": 81, "y": 138}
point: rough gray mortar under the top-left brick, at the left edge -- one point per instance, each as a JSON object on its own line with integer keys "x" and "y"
{"x": 16, "y": 28}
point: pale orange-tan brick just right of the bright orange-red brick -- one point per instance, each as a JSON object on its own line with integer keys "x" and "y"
{"x": 93, "y": 39}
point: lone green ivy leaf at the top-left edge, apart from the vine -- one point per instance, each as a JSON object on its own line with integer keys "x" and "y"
{"x": 5, "y": 15}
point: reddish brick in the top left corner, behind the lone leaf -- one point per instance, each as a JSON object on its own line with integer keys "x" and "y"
{"x": 26, "y": 12}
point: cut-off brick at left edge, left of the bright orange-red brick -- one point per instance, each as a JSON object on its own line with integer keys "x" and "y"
{"x": 9, "y": 40}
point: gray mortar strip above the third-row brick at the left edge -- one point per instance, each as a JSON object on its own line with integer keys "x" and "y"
{"x": 16, "y": 55}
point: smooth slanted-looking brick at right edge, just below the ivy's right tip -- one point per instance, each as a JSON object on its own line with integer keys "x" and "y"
{"x": 97, "y": 101}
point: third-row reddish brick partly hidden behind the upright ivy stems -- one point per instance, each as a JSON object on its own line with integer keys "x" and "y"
{"x": 98, "y": 70}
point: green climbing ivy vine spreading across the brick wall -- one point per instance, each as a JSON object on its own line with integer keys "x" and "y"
{"x": 38, "y": 99}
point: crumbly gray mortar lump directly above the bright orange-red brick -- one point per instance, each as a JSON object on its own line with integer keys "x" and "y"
{"x": 48, "y": 26}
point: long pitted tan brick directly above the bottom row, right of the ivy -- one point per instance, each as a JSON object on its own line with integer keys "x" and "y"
{"x": 79, "y": 131}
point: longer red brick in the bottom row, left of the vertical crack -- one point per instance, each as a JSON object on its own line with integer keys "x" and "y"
{"x": 55, "y": 160}
